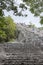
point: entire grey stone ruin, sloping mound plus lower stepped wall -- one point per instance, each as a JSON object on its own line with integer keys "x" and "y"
{"x": 27, "y": 50}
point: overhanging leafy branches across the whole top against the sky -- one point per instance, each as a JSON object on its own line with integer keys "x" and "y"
{"x": 36, "y": 6}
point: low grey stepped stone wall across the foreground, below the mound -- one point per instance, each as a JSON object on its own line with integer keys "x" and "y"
{"x": 20, "y": 54}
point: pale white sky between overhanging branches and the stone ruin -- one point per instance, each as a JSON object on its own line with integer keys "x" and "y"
{"x": 26, "y": 20}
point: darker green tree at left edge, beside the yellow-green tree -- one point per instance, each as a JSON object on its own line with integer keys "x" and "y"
{"x": 2, "y": 32}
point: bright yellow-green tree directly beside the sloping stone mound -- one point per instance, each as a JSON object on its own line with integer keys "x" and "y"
{"x": 11, "y": 27}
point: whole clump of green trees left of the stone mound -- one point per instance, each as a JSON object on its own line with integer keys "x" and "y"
{"x": 7, "y": 29}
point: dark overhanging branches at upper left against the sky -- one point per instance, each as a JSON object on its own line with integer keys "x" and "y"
{"x": 11, "y": 5}
